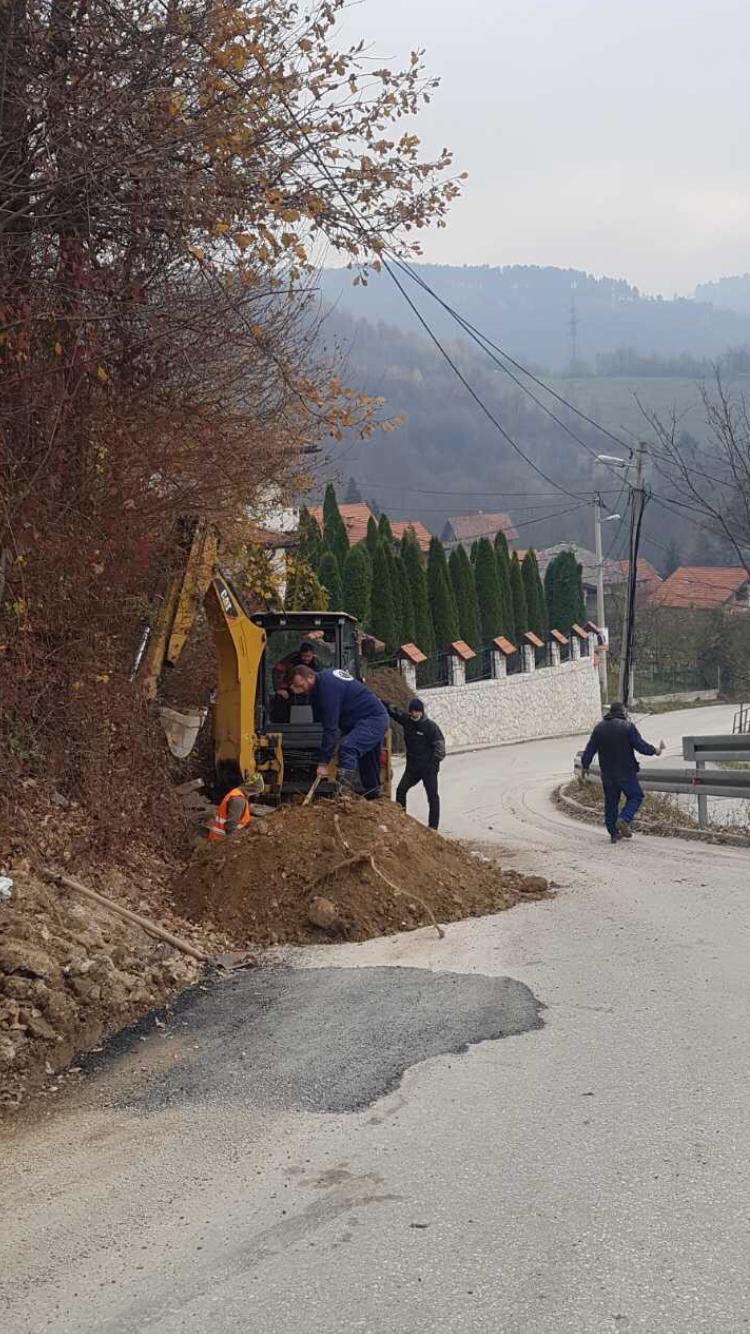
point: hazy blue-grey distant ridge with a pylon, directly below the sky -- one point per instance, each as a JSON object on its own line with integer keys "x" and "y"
{"x": 529, "y": 311}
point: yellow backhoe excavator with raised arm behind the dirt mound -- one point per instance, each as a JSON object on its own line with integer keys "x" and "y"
{"x": 248, "y": 646}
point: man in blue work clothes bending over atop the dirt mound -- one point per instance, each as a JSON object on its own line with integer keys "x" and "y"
{"x": 352, "y": 716}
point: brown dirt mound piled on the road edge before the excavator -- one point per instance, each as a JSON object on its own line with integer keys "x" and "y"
{"x": 296, "y": 877}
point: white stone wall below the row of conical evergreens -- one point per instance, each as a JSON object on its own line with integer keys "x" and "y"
{"x": 552, "y": 702}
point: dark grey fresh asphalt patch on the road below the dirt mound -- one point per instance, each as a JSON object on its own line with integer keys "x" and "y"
{"x": 314, "y": 1040}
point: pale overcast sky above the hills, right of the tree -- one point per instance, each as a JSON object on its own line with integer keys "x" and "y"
{"x": 607, "y": 135}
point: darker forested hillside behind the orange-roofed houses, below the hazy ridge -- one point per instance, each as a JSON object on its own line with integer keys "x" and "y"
{"x": 448, "y": 458}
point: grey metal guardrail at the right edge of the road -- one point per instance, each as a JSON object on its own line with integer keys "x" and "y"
{"x": 697, "y": 782}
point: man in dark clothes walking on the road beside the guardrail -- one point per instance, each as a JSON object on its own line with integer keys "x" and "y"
{"x": 616, "y": 741}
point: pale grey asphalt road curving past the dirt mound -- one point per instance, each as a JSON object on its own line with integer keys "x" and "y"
{"x": 536, "y": 1127}
